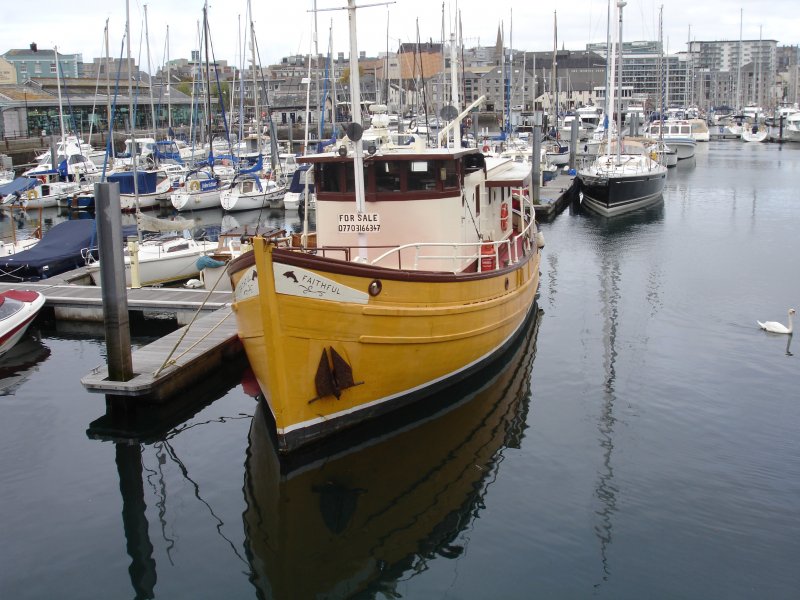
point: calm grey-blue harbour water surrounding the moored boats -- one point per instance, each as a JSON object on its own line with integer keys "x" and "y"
{"x": 640, "y": 443}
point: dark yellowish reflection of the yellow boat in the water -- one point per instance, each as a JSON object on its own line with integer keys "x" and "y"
{"x": 358, "y": 518}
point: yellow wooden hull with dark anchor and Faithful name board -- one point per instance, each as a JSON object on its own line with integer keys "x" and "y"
{"x": 404, "y": 335}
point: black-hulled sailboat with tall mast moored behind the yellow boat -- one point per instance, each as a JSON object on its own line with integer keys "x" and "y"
{"x": 625, "y": 176}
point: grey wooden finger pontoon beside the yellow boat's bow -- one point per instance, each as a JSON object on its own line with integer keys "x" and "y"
{"x": 175, "y": 361}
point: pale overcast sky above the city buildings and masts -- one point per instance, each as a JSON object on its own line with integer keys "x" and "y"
{"x": 284, "y": 27}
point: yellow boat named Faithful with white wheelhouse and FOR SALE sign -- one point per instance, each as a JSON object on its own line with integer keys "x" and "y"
{"x": 422, "y": 271}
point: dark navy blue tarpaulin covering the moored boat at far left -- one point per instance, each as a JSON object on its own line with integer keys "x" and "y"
{"x": 59, "y": 250}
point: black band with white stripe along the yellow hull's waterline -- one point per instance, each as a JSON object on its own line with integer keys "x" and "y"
{"x": 303, "y": 435}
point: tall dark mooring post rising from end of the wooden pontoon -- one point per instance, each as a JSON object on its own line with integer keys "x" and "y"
{"x": 112, "y": 275}
